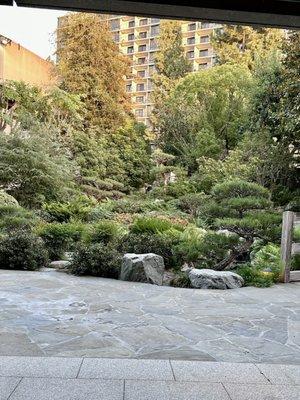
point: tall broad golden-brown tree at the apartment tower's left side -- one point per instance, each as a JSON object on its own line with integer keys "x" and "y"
{"x": 90, "y": 65}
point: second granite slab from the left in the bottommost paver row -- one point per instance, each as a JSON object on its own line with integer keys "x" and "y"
{"x": 68, "y": 389}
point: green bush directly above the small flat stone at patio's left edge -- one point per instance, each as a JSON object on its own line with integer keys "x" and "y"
{"x": 59, "y": 238}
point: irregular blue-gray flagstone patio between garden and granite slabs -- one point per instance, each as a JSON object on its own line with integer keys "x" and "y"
{"x": 54, "y": 314}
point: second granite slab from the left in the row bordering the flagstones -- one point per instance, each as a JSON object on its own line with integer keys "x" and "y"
{"x": 126, "y": 369}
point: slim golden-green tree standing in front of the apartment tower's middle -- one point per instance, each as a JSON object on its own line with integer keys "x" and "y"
{"x": 170, "y": 62}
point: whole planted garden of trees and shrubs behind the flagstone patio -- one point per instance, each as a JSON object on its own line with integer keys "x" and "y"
{"x": 82, "y": 181}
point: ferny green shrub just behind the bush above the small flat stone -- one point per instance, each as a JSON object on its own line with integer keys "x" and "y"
{"x": 78, "y": 208}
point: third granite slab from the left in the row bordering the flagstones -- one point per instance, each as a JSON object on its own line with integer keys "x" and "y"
{"x": 217, "y": 372}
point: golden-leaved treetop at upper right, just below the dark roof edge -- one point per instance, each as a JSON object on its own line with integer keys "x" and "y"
{"x": 243, "y": 45}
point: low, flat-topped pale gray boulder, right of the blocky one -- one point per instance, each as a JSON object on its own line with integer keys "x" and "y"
{"x": 210, "y": 279}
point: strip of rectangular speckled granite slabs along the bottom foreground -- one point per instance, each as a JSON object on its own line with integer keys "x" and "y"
{"x": 48, "y": 378}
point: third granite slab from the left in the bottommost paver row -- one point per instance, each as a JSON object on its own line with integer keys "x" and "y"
{"x": 138, "y": 390}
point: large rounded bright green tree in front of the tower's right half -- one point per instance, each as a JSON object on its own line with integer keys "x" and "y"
{"x": 205, "y": 114}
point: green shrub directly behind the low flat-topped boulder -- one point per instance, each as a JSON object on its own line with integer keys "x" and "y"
{"x": 205, "y": 250}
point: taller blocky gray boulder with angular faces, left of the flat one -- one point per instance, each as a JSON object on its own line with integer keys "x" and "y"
{"x": 143, "y": 268}
